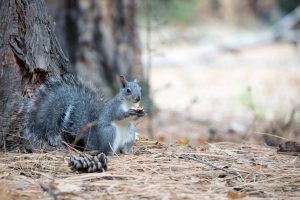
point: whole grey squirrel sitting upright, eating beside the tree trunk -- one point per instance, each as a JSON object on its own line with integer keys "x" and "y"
{"x": 65, "y": 107}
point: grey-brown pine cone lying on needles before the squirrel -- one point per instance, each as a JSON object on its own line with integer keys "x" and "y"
{"x": 87, "y": 163}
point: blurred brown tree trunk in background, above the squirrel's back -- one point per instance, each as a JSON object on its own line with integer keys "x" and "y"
{"x": 101, "y": 39}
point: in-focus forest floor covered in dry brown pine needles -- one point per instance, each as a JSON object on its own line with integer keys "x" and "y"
{"x": 157, "y": 171}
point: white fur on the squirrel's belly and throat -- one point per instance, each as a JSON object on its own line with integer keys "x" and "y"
{"x": 122, "y": 127}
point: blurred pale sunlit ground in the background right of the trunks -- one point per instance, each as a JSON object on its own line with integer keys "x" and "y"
{"x": 205, "y": 90}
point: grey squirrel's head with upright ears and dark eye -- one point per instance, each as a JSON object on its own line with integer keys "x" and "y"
{"x": 131, "y": 90}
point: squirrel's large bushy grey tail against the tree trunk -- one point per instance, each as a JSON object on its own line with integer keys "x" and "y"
{"x": 60, "y": 108}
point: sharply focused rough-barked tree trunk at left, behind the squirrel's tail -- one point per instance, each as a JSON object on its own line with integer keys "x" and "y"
{"x": 29, "y": 53}
